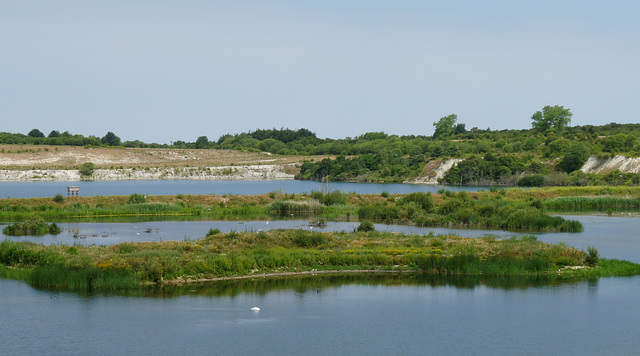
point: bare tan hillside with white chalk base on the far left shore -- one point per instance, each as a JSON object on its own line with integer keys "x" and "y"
{"x": 26, "y": 163}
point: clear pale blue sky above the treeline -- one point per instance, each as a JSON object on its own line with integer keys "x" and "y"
{"x": 161, "y": 71}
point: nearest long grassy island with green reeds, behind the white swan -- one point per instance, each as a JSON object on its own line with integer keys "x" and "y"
{"x": 235, "y": 254}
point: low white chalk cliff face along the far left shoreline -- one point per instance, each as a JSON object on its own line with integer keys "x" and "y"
{"x": 247, "y": 172}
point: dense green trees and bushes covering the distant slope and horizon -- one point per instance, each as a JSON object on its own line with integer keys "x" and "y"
{"x": 529, "y": 157}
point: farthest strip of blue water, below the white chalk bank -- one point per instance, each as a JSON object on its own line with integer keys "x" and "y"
{"x": 170, "y": 187}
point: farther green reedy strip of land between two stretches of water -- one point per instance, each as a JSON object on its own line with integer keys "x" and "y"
{"x": 514, "y": 210}
